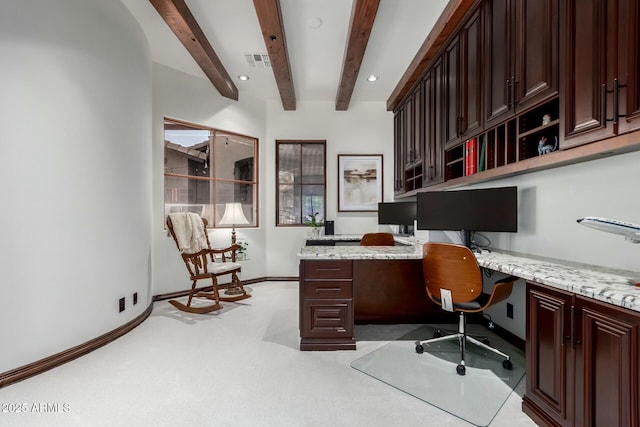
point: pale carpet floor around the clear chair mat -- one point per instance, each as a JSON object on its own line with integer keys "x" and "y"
{"x": 238, "y": 367}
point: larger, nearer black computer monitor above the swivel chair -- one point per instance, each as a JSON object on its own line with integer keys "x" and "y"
{"x": 487, "y": 209}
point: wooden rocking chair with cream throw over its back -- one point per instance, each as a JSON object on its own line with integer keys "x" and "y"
{"x": 207, "y": 263}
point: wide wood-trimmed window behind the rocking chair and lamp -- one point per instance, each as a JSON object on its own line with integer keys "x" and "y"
{"x": 205, "y": 168}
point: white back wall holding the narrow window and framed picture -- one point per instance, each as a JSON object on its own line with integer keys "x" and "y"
{"x": 366, "y": 128}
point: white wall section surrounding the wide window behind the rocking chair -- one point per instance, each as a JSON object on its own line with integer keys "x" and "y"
{"x": 182, "y": 96}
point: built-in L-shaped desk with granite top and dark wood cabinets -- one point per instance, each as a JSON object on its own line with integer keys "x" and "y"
{"x": 582, "y": 335}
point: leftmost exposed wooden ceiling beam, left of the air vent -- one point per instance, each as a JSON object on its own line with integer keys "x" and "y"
{"x": 179, "y": 18}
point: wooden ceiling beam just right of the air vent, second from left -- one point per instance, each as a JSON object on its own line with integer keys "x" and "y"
{"x": 270, "y": 18}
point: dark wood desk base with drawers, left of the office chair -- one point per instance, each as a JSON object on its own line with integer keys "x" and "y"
{"x": 335, "y": 294}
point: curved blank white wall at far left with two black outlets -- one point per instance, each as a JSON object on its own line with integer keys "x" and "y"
{"x": 75, "y": 114}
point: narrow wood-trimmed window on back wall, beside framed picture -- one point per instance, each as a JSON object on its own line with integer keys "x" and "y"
{"x": 301, "y": 181}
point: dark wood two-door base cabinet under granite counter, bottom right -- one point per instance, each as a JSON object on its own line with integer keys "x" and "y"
{"x": 582, "y": 360}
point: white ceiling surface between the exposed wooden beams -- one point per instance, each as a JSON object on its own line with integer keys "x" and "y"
{"x": 315, "y": 54}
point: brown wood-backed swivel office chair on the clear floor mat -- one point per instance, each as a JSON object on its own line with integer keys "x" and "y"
{"x": 454, "y": 267}
